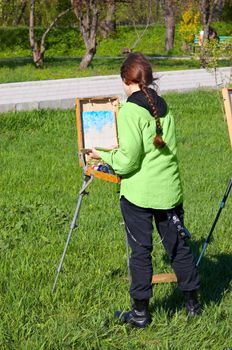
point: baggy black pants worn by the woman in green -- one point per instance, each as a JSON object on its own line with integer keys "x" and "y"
{"x": 139, "y": 230}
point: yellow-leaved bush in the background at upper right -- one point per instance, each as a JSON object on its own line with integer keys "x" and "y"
{"x": 189, "y": 25}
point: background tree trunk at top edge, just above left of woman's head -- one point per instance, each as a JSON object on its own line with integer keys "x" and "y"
{"x": 108, "y": 25}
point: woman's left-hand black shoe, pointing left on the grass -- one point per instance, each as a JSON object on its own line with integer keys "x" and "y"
{"x": 138, "y": 317}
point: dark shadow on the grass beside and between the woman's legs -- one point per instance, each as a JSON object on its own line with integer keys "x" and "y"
{"x": 215, "y": 274}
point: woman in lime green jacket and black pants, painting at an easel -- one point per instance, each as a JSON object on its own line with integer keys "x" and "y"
{"x": 150, "y": 188}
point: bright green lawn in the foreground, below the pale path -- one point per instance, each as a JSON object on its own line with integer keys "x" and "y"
{"x": 40, "y": 179}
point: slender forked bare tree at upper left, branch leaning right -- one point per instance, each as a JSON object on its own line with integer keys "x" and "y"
{"x": 38, "y": 47}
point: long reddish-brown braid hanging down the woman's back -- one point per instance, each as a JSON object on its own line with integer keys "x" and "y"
{"x": 158, "y": 140}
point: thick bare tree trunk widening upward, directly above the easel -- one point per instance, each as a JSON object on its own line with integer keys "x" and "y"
{"x": 87, "y": 13}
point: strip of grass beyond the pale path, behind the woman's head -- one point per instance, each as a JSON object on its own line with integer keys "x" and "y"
{"x": 59, "y": 68}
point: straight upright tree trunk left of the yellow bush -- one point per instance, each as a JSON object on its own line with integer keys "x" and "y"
{"x": 170, "y": 24}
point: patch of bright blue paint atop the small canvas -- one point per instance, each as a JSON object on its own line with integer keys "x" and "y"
{"x": 97, "y": 120}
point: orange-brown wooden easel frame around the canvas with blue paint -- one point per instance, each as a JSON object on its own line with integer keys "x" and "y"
{"x": 112, "y": 101}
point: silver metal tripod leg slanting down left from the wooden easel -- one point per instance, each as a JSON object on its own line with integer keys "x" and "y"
{"x": 82, "y": 193}
